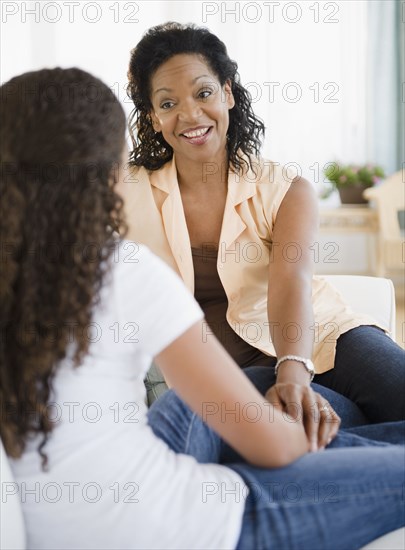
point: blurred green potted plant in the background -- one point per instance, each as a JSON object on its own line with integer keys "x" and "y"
{"x": 351, "y": 180}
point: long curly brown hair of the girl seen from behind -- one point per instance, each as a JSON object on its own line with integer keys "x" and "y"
{"x": 62, "y": 139}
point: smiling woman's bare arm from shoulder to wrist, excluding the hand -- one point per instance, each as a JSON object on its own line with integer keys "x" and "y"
{"x": 290, "y": 277}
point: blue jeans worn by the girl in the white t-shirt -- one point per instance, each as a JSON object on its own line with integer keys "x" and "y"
{"x": 340, "y": 498}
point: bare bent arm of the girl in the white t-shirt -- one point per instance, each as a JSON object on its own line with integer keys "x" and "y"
{"x": 211, "y": 383}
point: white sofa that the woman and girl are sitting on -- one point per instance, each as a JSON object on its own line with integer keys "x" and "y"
{"x": 371, "y": 295}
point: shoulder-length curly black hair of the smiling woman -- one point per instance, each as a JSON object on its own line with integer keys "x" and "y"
{"x": 158, "y": 45}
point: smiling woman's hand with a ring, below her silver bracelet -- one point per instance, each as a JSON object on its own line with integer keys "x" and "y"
{"x": 320, "y": 421}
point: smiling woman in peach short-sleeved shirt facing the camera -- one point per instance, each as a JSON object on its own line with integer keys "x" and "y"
{"x": 240, "y": 232}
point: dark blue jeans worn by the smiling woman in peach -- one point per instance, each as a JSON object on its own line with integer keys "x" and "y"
{"x": 367, "y": 384}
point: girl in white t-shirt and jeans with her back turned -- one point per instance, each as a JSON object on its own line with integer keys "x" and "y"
{"x": 82, "y": 316}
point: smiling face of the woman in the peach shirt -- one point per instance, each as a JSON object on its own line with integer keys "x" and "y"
{"x": 191, "y": 108}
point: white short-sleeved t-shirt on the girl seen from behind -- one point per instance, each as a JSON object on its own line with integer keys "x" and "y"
{"x": 111, "y": 482}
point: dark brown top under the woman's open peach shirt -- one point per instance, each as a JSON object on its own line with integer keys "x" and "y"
{"x": 210, "y": 294}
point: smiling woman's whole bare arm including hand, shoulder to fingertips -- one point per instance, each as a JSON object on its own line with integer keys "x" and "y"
{"x": 290, "y": 311}
